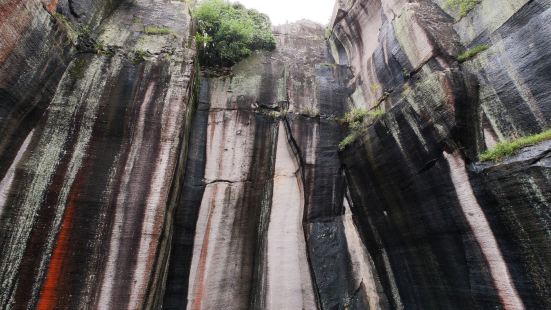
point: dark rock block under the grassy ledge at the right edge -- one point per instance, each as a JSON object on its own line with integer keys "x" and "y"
{"x": 516, "y": 198}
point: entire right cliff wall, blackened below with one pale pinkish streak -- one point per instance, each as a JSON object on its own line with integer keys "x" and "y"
{"x": 444, "y": 231}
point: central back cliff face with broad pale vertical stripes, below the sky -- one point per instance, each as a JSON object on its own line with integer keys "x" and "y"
{"x": 271, "y": 229}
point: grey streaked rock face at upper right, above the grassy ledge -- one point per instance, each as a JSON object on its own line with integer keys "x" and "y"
{"x": 514, "y": 73}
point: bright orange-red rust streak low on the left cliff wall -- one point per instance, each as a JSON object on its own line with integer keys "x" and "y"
{"x": 50, "y": 289}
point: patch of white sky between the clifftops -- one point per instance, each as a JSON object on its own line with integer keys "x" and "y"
{"x": 281, "y": 11}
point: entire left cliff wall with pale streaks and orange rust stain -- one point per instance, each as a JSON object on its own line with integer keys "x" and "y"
{"x": 91, "y": 152}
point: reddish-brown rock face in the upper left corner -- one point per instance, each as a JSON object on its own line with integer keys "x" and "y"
{"x": 35, "y": 49}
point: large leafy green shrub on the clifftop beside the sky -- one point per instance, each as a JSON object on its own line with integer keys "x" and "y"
{"x": 228, "y": 33}
